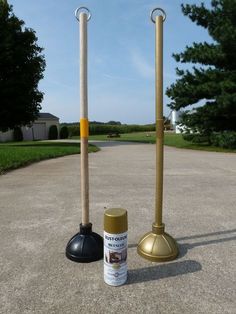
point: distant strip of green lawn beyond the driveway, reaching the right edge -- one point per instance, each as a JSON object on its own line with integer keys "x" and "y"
{"x": 170, "y": 139}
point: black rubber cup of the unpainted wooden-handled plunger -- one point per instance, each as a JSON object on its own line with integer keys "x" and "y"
{"x": 85, "y": 246}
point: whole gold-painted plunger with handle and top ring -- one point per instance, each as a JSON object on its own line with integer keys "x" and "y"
{"x": 157, "y": 245}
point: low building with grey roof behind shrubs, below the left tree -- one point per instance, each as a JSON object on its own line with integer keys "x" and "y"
{"x": 37, "y": 131}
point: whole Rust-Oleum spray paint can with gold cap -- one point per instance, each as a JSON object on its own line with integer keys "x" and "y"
{"x": 115, "y": 246}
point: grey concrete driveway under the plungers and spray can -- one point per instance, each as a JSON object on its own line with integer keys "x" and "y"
{"x": 40, "y": 211}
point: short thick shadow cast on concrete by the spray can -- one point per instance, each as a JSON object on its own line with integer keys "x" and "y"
{"x": 162, "y": 271}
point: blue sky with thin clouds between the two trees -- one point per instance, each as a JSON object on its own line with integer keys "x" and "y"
{"x": 121, "y": 50}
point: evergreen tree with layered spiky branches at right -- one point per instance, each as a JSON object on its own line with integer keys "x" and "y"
{"x": 213, "y": 81}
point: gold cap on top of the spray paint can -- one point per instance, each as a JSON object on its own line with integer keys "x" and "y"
{"x": 115, "y": 220}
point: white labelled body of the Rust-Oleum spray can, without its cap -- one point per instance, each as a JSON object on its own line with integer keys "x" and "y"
{"x": 115, "y": 258}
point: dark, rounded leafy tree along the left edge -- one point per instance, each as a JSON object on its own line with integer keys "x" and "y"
{"x": 21, "y": 69}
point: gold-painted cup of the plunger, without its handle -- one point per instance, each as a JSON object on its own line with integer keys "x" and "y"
{"x": 157, "y": 245}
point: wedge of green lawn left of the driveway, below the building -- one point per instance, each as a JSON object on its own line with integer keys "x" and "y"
{"x": 15, "y": 155}
